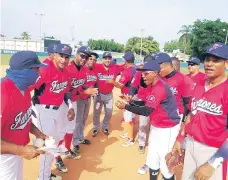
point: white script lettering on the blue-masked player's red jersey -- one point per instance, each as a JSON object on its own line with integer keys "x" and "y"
{"x": 20, "y": 121}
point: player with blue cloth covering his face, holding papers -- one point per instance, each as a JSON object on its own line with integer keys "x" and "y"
{"x": 16, "y": 113}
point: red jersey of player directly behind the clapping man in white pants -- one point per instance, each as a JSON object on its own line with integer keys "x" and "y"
{"x": 181, "y": 86}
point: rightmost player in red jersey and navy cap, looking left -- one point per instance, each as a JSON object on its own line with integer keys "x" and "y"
{"x": 206, "y": 126}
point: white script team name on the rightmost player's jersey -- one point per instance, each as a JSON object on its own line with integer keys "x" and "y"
{"x": 206, "y": 106}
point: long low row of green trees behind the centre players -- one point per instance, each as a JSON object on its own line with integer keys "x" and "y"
{"x": 105, "y": 45}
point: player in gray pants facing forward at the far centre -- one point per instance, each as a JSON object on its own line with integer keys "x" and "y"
{"x": 106, "y": 73}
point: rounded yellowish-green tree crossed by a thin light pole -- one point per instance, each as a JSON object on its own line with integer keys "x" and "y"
{"x": 149, "y": 45}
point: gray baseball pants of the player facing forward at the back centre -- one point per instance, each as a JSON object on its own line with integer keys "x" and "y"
{"x": 105, "y": 100}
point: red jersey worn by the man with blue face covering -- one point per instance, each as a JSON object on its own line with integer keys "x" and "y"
{"x": 16, "y": 113}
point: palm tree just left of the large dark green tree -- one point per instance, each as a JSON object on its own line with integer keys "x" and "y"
{"x": 185, "y": 35}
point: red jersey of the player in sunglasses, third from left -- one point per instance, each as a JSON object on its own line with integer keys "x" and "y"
{"x": 77, "y": 78}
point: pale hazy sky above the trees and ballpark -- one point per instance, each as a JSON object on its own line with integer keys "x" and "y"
{"x": 106, "y": 19}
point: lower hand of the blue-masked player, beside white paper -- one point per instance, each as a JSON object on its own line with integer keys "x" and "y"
{"x": 29, "y": 152}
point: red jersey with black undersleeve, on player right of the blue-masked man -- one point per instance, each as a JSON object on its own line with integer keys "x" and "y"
{"x": 55, "y": 84}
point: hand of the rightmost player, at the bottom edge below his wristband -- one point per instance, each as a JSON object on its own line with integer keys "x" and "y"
{"x": 204, "y": 172}
